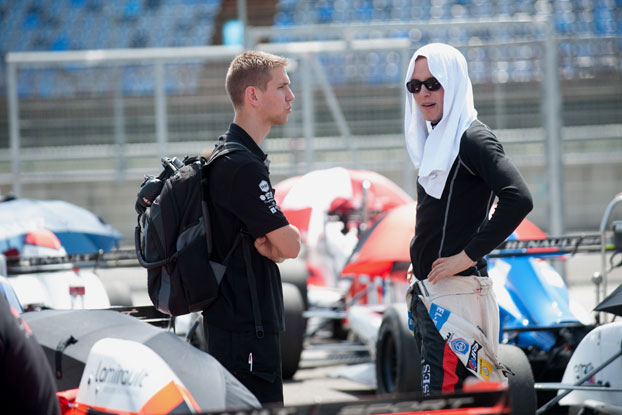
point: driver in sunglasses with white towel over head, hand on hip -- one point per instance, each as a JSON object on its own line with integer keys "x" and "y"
{"x": 461, "y": 169}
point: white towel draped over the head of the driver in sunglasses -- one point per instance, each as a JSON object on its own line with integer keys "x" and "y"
{"x": 433, "y": 151}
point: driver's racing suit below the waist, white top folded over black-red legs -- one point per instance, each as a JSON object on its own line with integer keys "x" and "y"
{"x": 464, "y": 311}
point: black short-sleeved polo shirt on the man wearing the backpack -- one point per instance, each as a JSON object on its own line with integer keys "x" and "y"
{"x": 241, "y": 196}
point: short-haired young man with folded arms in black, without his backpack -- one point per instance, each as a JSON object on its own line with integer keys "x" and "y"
{"x": 242, "y": 203}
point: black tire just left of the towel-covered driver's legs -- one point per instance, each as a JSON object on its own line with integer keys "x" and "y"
{"x": 398, "y": 364}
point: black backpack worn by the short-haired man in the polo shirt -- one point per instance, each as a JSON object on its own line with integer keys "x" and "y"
{"x": 173, "y": 238}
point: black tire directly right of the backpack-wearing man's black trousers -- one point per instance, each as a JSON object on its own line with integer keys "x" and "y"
{"x": 293, "y": 337}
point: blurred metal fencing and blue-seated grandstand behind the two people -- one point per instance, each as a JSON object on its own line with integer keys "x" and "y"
{"x": 94, "y": 92}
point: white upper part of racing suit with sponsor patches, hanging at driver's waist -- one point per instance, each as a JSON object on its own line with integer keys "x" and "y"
{"x": 465, "y": 312}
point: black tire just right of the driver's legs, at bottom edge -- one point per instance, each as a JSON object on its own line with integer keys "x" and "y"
{"x": 523, "y": 398}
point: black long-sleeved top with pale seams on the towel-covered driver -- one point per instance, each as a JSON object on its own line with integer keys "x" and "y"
{"x": 459, "y": 220}
